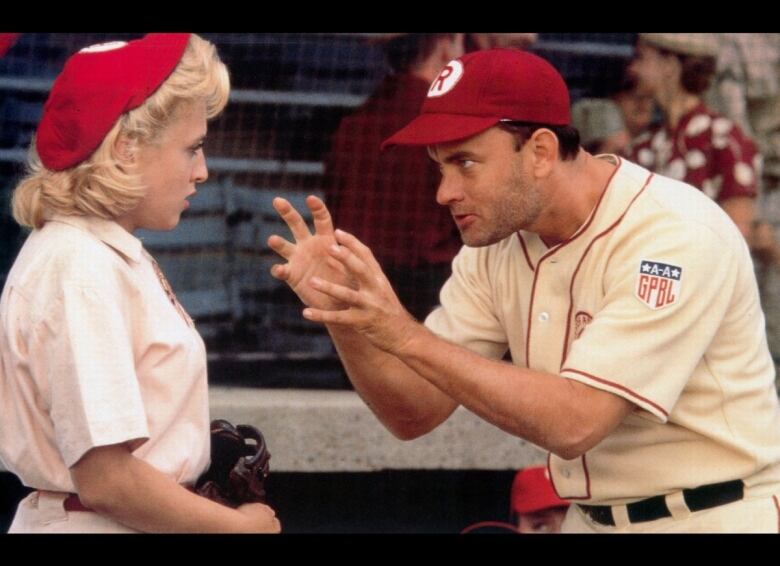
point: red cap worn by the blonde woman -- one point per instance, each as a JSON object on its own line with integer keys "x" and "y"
{"x": 97, "y": 86}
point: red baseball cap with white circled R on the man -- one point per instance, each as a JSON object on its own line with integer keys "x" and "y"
{"x": 478, "y": 90}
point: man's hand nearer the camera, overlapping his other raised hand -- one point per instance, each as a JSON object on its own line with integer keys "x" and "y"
{"x": 372, "y": 307}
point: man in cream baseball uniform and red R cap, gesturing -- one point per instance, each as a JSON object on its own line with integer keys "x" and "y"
{"x": 627, "y": 301}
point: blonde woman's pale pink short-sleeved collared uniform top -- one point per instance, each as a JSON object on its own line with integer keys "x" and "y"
{"x": 95, "y": 353}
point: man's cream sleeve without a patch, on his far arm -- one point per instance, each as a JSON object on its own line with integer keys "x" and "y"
{"x": 467, "y": 315}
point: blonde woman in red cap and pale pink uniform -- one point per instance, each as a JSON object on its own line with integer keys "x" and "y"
{"x": 103, "y": 387}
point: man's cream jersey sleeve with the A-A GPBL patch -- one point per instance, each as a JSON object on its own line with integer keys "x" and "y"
{"x": 665, "y": 297}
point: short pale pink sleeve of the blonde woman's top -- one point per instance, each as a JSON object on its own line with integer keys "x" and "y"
{"x": 85, "y": 355}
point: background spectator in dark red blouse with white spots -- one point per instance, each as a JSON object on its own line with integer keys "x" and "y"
{"x": 694, "y": 144}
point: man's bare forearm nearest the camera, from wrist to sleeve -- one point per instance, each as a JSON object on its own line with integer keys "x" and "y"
{"x": 561, "y": 415}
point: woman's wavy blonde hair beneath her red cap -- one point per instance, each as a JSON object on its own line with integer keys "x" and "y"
{"x": 100, "y": 186}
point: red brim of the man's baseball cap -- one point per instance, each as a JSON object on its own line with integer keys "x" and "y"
{"x": 430, "y": 129}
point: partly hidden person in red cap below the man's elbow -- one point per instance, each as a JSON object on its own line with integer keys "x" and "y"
{"x": 535, "y": 507}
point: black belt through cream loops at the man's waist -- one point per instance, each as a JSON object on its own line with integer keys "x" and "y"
{"x": 652, "y": 508}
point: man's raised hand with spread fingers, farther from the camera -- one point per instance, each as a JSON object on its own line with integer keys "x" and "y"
{"x": 308, "y": 257}
